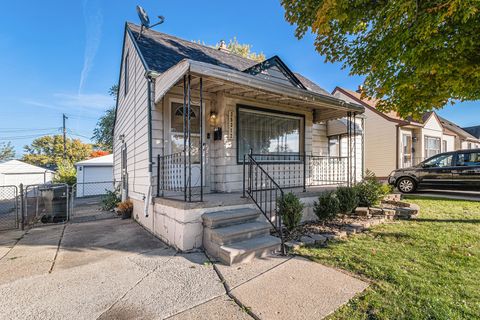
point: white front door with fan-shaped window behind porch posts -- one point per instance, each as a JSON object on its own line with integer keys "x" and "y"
{"x": 177, "y": 143}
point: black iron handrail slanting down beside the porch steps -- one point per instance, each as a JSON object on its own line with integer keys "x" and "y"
{"x": 265, "y": 193}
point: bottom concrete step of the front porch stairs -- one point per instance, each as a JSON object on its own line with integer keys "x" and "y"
{"x": 245, "y": 251}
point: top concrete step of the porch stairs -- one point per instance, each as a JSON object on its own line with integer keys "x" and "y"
{"x": 229, "y": 217}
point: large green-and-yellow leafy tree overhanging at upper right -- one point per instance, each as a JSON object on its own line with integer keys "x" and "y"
{"x": 415, "y": 55}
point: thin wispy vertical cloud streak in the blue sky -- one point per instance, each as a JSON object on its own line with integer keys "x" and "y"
{"x": 93, "y": 18}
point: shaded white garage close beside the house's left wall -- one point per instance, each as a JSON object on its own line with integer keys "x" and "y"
{"x": 94, "y": 176}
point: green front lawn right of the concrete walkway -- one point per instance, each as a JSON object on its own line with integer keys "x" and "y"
{"x": 423, "y": 269}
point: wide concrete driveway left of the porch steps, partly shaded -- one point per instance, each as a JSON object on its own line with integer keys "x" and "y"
{"x": 108, "y": 269}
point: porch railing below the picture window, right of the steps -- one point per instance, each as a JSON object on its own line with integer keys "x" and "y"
{"x": 302, "y": 171}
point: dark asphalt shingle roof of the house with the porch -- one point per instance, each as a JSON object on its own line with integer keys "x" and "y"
{"x": 162, "y": 51}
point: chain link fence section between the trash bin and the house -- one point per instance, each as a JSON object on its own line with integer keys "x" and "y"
{"x": 88, "y": 200}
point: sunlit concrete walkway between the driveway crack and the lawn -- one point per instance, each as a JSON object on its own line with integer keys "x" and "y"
{"x": 289, "y": 287}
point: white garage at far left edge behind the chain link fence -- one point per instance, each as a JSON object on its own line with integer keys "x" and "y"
{"x": 16, "y": 172}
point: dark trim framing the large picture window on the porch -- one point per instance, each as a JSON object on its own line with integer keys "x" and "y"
{"x": 271, "y": 111}
